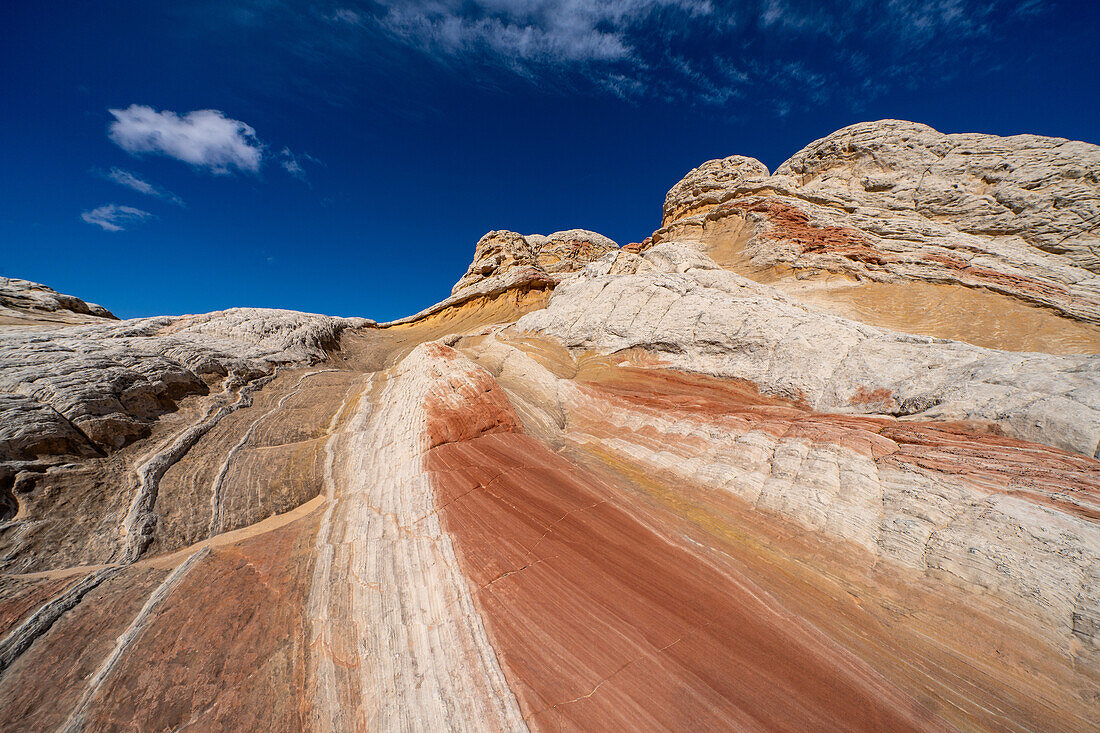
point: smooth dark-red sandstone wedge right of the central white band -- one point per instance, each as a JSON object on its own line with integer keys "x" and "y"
{"x": 603, "y": 625}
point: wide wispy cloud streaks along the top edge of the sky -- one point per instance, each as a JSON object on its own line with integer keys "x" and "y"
{"x": 705, "y": 52}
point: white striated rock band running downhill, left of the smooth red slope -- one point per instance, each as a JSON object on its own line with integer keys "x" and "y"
{"x": 400, "y": 643}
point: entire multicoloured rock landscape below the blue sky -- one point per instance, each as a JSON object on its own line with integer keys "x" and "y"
{"x": 703, "y": 484}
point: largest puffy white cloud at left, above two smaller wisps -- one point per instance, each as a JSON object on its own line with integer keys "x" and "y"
{"x": 204, "y": 138}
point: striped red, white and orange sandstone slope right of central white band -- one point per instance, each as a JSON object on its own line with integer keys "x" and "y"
{"x": 559, "y": 543}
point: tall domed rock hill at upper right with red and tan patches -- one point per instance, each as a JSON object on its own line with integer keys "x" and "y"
{"x": 896, "y": 203}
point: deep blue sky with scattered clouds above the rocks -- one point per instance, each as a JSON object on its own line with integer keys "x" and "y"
{"x": 345, "y": 158}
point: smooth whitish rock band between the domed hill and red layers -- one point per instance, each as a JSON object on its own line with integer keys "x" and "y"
{"x": 710, "y": 321}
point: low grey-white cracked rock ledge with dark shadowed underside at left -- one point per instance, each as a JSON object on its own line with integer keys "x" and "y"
{"x": 109, "y": 382}
